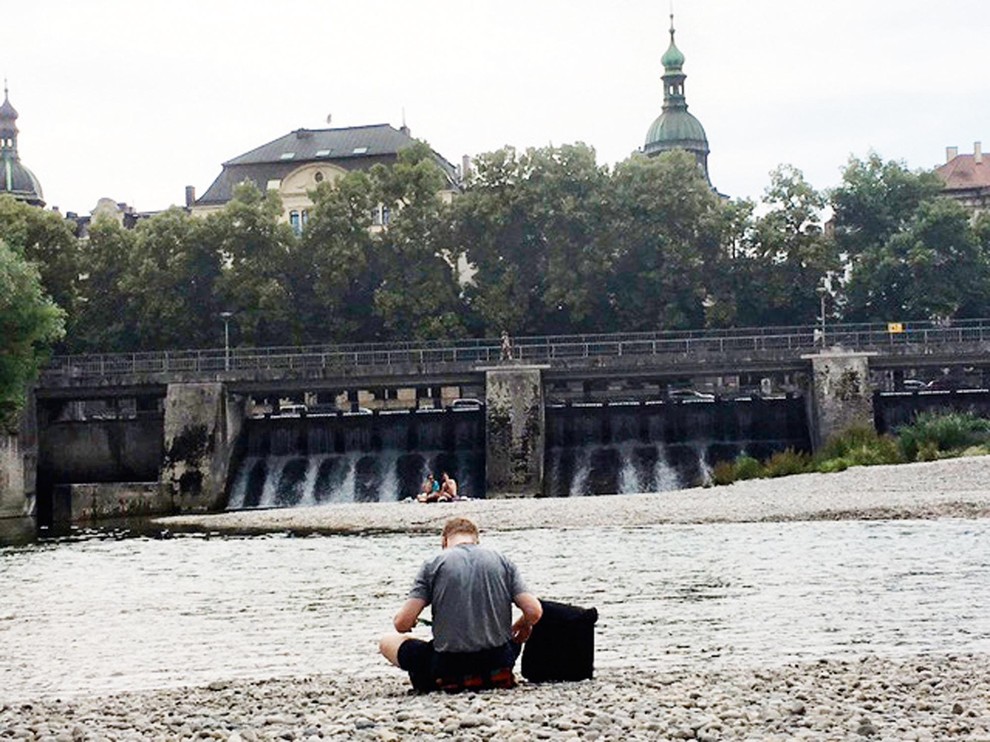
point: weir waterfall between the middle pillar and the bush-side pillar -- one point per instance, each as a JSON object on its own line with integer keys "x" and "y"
{"x": 624, "y": 449}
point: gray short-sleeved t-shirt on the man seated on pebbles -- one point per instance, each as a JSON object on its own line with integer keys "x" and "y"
{"x": 471, "y": 590}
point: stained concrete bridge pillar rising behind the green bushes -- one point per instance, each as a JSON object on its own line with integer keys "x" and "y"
{"x": 840, "y": 396}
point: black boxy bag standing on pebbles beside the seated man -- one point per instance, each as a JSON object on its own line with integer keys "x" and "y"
{"x": 562, "y": 645}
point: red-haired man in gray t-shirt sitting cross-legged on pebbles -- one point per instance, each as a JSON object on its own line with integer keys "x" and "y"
{"x": 471, "y": 590}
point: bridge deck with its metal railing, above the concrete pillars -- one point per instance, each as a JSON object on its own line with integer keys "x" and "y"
{"x": 736, "y": 351}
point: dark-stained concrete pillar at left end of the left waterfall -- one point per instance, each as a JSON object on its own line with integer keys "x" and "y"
{"x": 202, "y": 424}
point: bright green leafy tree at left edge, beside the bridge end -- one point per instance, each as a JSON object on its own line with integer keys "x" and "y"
{"x": 30, "y": 323}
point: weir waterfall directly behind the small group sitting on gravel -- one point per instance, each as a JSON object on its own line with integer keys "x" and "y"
{"x": 291, "y": 461}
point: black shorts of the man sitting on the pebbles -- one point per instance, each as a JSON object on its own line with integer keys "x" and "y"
{"x": 453, "y": 671}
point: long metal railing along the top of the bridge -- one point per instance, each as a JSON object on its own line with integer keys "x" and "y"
{"x": 563, "y": 350}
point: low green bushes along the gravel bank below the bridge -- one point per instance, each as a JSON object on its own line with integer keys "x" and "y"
{"x": 930, "y": 437}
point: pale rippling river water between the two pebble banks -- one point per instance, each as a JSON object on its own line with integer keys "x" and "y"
{"x": 108, "y": 612}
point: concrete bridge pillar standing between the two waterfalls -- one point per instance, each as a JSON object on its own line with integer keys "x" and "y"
{"x": 514, "y": 431}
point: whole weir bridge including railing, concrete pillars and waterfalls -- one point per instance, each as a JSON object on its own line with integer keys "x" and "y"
{"x": 204, "y": 429}
